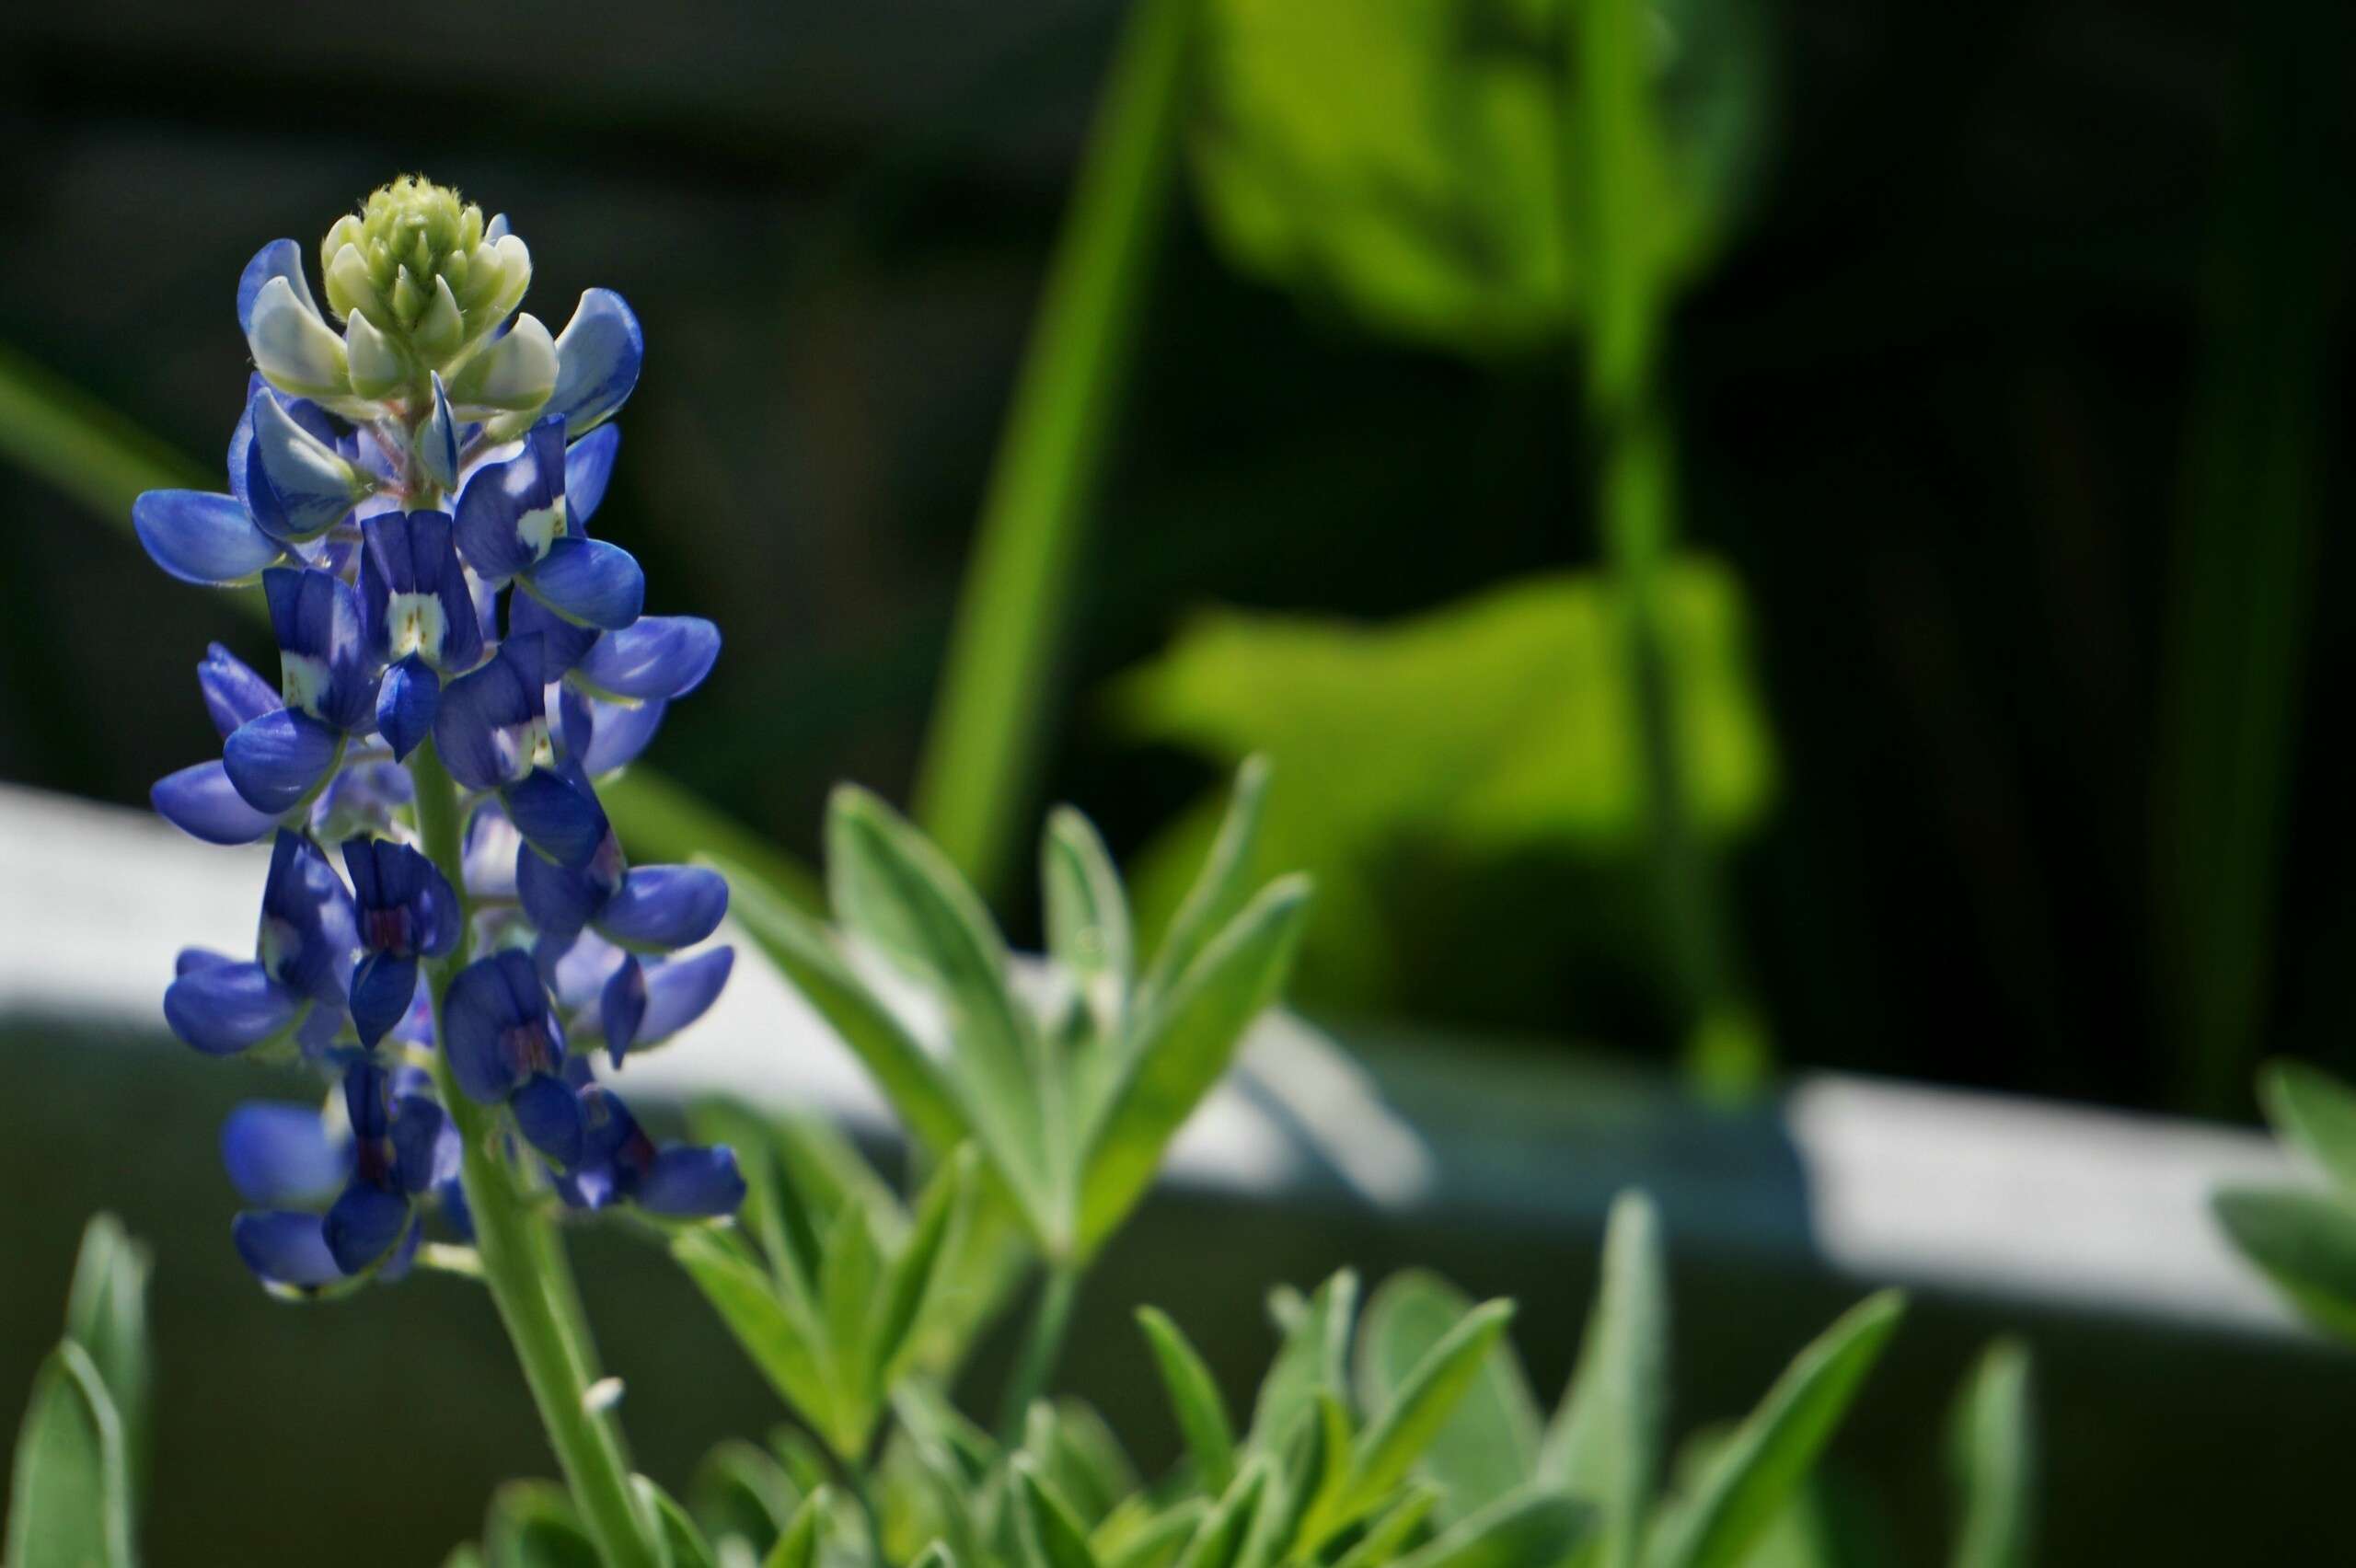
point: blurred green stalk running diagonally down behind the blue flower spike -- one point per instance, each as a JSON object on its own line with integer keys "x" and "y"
{"x": 102, "y": 460}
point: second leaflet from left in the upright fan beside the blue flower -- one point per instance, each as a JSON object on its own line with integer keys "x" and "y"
{"x": 901, "y": 893}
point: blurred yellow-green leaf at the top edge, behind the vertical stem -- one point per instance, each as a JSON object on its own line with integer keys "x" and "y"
{"x": 1405, "y": 161}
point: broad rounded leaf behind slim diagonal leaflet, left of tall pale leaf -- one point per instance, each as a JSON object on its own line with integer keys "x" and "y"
{"x": 1490, "y": 1442}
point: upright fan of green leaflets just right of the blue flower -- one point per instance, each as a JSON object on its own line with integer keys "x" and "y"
{"x": 1073, "y": 1096}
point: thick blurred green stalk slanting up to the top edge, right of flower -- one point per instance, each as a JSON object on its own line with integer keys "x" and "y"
{"x": 998, "y": 686}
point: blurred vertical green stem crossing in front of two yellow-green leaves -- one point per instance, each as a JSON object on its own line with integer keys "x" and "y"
{"x": 1615, "y": 173}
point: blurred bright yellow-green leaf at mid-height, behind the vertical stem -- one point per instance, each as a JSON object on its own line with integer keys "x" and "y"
{"x": 1488, "y": 731}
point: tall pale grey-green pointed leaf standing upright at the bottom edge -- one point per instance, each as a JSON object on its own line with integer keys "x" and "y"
{"x": 1606, "y": 1442}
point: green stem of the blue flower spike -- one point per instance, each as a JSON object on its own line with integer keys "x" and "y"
{"x": 524, "y": 1263}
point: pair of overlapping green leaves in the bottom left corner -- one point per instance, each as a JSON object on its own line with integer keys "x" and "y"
{"x": 81, "y": 1447}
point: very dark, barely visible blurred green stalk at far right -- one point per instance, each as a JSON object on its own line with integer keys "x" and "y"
{"x": 2242, "y": 571}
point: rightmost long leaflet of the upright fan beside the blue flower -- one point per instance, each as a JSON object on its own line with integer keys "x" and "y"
{"x": 1184, "y": 1049}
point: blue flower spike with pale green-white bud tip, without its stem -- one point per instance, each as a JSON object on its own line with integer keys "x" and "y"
{"x": 413, "y": 496}
